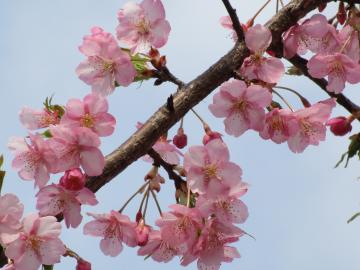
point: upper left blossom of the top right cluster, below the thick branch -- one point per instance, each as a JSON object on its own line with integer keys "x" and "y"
{"x": 314, "y": 34}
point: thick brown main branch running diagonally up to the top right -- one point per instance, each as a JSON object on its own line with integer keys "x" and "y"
{"x": 192, "y": 93}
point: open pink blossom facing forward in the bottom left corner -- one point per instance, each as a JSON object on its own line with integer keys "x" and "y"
{"x": 37, "y": 244}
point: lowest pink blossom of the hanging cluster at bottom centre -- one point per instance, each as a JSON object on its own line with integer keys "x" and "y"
{"x": 211, "y": 248}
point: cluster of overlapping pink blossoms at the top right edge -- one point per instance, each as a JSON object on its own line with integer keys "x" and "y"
{"x": 336, "y": 52}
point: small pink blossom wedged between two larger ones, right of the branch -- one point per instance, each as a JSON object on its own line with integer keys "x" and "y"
{"x": 280, "y": 124}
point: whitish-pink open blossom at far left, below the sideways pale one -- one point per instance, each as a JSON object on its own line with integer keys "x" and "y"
{"x": 32, "y": 159}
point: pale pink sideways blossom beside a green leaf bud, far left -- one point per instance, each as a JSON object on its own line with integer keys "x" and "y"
{"x": 34, "y": 119}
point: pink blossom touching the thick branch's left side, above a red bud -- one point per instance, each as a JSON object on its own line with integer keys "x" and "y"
{"x": 74, "y": 147}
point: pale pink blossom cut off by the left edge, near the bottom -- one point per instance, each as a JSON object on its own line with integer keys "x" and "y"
{"x": 11, "y": 211}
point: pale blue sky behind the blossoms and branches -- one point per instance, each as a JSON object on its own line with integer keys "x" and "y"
{"x": 298, "y": 204}
